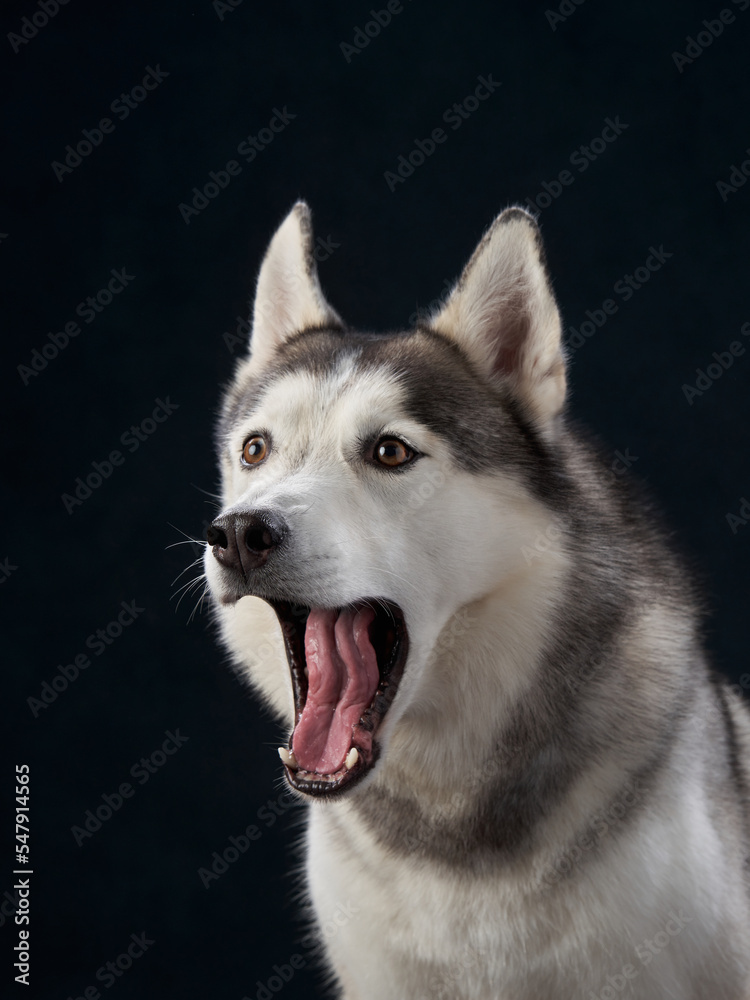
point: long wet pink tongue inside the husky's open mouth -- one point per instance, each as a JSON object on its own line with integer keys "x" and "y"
{"x": 342, "y": 680}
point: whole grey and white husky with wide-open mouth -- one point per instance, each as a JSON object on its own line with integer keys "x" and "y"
{"x": 524, "y": 782}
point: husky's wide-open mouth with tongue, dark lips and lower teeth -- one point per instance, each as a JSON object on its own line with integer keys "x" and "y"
{"x": 346, "y": 664}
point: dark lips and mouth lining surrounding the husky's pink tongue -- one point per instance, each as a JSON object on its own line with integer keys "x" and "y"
{"x": 391, "y": 639}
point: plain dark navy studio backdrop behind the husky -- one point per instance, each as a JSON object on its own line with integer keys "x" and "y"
{"x": 163, "y": 336}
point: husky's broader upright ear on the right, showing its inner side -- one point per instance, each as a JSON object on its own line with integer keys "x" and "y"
{"x": 503, "y": 314}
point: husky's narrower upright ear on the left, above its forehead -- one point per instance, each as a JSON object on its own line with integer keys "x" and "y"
{"x": 288, "y": 296}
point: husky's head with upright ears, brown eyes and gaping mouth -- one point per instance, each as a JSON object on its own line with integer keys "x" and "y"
{"x": 375, "y": 485}
